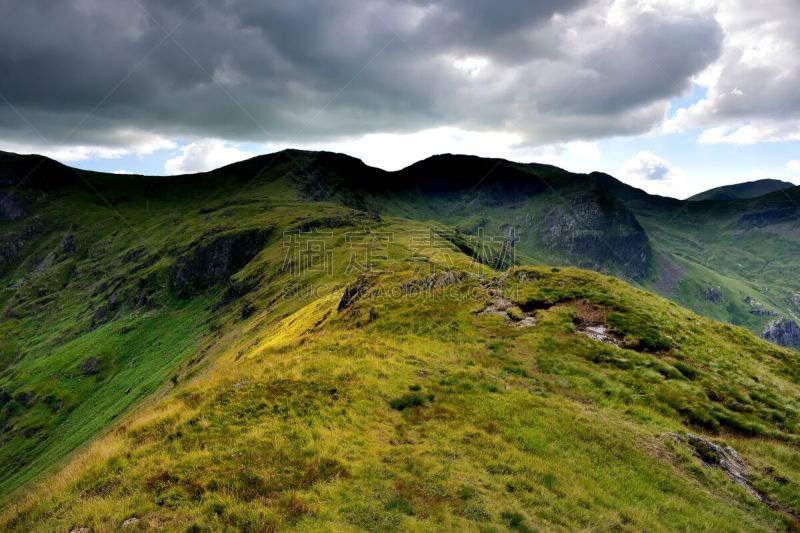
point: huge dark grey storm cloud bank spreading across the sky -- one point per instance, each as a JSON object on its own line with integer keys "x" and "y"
{"x": 303, "y": 69}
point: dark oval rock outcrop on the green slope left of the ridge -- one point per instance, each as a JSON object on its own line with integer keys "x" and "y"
{"x": 210, "y": 261}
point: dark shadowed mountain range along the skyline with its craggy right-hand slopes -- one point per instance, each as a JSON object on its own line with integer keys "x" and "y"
{"x": 557, "y": 217}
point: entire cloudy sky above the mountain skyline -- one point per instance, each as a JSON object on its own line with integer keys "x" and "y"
{"x": 671, "y": 96}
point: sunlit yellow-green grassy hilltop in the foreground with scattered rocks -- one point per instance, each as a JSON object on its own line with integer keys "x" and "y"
{"x": 296, "y": 425}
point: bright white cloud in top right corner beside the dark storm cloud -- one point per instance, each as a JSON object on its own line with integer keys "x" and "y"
{"x": 752, "y": 92}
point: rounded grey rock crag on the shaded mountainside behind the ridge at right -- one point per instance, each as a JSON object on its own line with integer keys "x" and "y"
{"x": 598, "y": 232}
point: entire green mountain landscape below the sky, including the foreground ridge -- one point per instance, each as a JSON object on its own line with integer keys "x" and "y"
{"x": 301, "y": 341}
